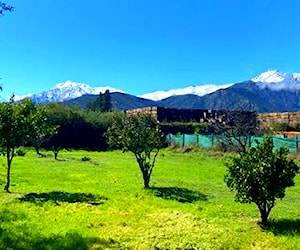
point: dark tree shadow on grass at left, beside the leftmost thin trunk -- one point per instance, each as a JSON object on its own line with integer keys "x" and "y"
{"x": 57, "y": 197}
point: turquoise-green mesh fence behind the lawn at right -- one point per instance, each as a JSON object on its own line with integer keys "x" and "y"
{"x": 209, "y": 141}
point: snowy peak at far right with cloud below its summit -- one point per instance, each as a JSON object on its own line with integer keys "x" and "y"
{"x": 275, "y": 80}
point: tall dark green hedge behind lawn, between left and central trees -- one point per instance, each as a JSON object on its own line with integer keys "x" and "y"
{"x": 77, "y": 128}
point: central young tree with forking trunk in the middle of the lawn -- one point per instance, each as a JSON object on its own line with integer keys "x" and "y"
{"x": 141, "y": 135}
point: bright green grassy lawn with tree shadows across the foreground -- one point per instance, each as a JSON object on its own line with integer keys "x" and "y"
{"x": 101, "y": 204}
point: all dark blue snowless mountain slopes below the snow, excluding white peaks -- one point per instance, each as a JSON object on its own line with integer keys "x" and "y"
{"x": 242, "y": 96}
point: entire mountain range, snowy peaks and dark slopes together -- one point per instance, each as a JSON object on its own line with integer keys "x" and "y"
{"x": 271, "y": 91}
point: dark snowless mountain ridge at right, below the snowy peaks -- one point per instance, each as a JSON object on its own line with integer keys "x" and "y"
{"x": 242, "y": 96}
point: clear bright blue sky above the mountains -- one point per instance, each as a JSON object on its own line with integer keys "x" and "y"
{"x": 142, "y": 46}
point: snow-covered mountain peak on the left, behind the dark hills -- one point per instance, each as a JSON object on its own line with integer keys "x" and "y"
{"x": 66, "y": 91}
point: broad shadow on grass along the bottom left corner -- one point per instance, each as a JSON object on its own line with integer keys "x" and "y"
{"x": 72, "y": 240}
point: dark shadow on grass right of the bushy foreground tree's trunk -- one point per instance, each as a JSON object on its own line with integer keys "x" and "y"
{"x": 284, "y": 227}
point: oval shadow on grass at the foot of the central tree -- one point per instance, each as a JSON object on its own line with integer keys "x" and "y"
{"x": 182, "y": 195}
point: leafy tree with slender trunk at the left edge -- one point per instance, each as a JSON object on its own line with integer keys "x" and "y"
{"x": 15, "y": 124}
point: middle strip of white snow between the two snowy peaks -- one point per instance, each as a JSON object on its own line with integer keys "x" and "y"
{"x": 195, "y": 90}
